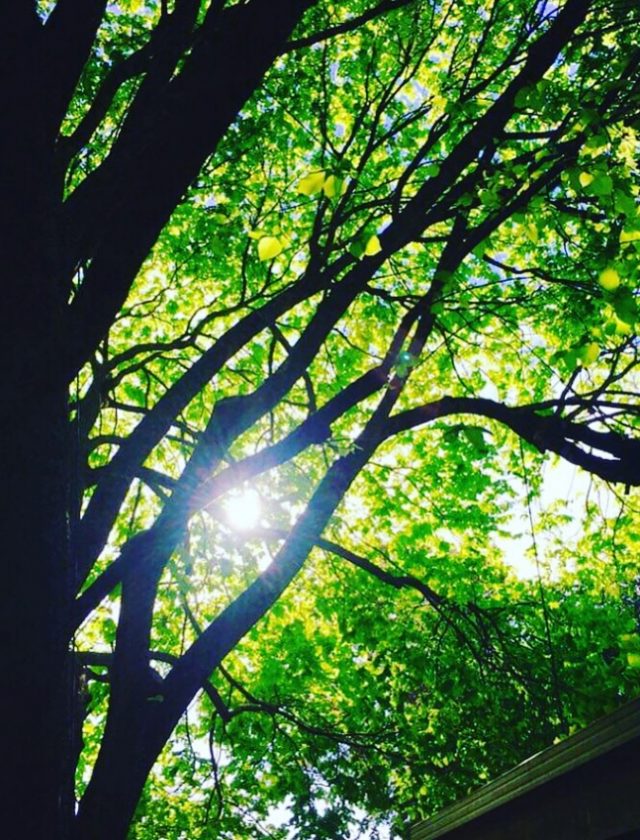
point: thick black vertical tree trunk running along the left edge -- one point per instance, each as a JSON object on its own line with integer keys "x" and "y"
{"x": 35, "y": 466}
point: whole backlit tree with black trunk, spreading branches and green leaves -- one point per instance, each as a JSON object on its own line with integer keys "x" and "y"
{"x": 327, "y": 250}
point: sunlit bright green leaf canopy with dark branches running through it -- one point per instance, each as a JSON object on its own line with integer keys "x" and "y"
{"x": 397, "y": 289}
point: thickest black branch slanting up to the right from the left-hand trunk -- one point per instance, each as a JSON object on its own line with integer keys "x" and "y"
{"x": 116, "y": 214}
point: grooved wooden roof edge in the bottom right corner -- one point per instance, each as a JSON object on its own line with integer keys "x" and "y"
{"x": 586, "y": 787}
